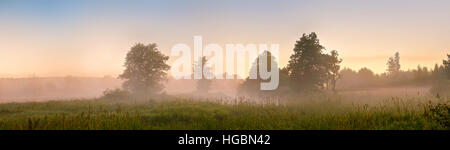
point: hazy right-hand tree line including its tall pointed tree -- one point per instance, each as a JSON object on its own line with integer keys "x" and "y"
{"x": 421, "y": 76}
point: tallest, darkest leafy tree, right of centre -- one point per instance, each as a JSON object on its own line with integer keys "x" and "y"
{"x": 308, "y": 67}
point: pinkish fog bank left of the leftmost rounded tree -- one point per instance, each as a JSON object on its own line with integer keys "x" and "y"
{"x": 53, "y": 88}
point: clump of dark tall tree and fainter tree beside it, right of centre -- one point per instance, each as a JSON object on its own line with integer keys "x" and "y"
{"x": 309, "y": 69}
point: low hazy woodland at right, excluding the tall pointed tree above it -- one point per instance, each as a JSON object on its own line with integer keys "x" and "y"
{"x": 422, "y": 76}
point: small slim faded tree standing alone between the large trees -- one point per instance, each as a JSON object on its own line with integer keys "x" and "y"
{"x": 203, "y": 84}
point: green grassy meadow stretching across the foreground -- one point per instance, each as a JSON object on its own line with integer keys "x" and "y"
{"x": 325, "y": 112}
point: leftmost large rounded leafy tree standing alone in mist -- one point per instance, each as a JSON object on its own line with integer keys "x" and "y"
{"x": 145, "y": 70}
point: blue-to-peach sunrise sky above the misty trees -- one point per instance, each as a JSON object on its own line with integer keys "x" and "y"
{"x": 91, "y": 37}
